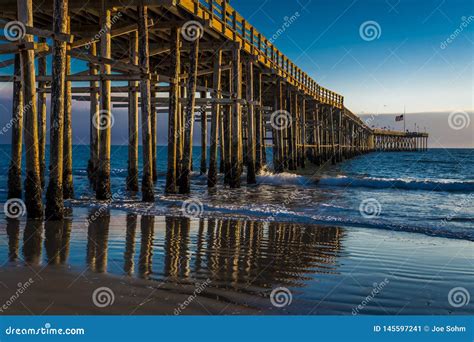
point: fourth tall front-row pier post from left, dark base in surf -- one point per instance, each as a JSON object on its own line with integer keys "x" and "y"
{"x": 145, "y": 87}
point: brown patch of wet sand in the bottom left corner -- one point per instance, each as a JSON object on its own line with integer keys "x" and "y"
{"x": 57, "y": 291}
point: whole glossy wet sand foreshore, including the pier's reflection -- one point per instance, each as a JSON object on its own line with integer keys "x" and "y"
{"x": 175, "y": 265}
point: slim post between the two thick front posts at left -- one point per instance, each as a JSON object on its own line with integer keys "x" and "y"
{"x": 42, "y": 115}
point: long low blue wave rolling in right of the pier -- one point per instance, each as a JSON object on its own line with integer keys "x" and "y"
{"x": 399, "y": 183}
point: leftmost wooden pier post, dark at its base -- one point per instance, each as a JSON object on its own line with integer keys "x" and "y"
{"x": 14, "y": 171}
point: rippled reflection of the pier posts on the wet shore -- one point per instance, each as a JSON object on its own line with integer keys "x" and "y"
{"x": 245, "y": 255}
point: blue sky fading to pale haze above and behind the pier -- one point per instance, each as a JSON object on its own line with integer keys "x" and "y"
{"x": 413, "y": 55}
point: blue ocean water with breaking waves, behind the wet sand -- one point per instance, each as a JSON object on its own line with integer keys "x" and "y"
{"x": 430, "y": 193}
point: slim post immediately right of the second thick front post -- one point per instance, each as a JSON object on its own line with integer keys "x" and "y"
{"x": 68, "y": 188}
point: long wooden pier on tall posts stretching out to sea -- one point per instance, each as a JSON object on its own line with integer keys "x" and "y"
{"x": 217, "y": 70}
